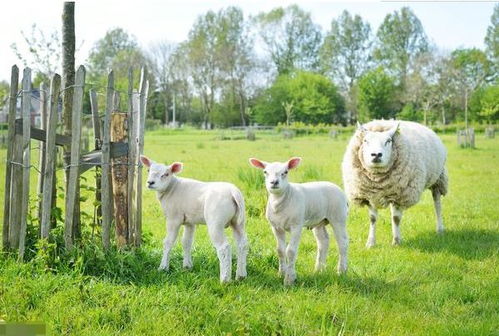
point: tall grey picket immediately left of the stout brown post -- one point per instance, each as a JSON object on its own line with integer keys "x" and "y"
{"x": 106, "y": 186}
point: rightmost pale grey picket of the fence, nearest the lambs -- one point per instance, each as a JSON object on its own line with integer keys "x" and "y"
{"x": 143, "y": 91}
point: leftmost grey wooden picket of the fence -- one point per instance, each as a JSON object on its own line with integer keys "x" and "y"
{"x": 14, "y": 83}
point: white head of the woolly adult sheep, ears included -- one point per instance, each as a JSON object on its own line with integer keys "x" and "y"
{"x": 376, "y": 148}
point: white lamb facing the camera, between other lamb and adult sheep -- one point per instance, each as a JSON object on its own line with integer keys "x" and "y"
{"x": 293, "y": 206}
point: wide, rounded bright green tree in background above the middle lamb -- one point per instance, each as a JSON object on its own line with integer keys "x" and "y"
{"x": 314, "y": 98}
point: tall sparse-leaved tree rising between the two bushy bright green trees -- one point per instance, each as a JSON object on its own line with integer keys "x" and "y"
{"x": 345, "y": 54}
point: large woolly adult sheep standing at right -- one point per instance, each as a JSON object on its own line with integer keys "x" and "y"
{"x": 391, "y": 163}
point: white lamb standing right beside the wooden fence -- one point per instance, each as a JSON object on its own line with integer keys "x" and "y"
{"x": 189, "y": 202}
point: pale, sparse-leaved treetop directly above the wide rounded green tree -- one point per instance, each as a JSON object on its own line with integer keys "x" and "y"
{"x": 291, "y": 38}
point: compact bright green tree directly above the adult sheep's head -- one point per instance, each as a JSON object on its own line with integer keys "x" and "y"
{"x": 376, "y": 95}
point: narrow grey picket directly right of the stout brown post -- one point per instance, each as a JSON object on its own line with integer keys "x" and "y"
{"x": 132, "y": 140}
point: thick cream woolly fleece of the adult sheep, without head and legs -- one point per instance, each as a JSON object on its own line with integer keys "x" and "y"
{"x": 417, "y": 163}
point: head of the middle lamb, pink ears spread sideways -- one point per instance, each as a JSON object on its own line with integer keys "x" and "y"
{"x": 276, "y": 173}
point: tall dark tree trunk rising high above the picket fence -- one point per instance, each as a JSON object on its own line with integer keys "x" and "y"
{"x": 68, "y": 79}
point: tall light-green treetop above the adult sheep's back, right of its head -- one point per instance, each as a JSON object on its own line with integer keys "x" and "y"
{"x": 400, "y": 38}
